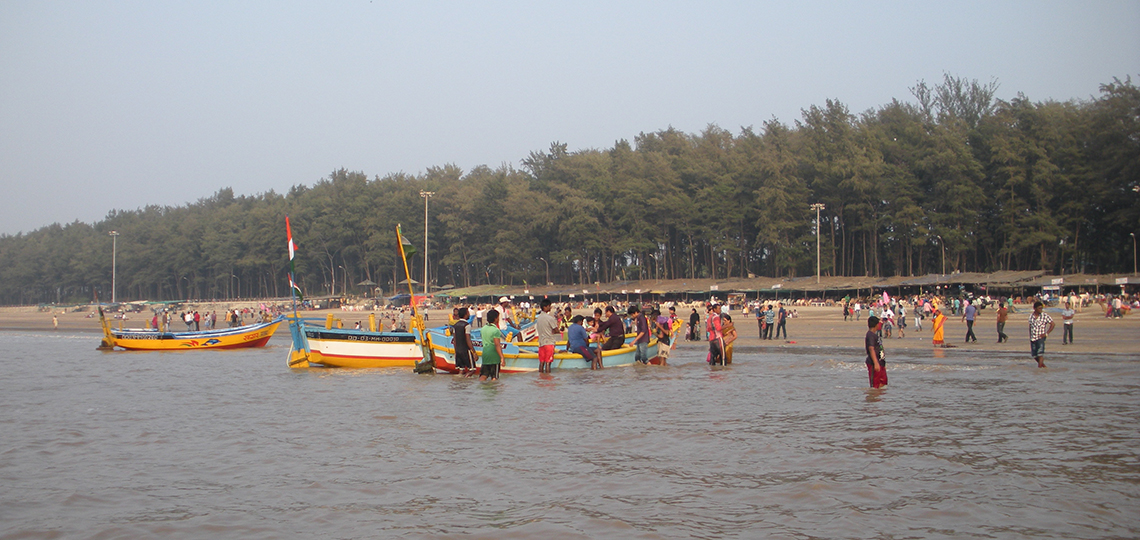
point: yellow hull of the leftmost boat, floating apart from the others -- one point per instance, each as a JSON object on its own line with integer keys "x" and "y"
{"x": 248, "y": 337}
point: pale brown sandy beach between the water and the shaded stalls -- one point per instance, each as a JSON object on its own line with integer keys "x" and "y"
{"x": 815, "y": 329}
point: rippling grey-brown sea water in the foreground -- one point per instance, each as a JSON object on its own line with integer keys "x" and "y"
{"x": 232, "y": 444}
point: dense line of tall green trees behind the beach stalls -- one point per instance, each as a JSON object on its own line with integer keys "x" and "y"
{"x": 954, "y": 178}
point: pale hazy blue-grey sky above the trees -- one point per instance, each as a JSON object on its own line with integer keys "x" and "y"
{"x": 119, "y": 105}
